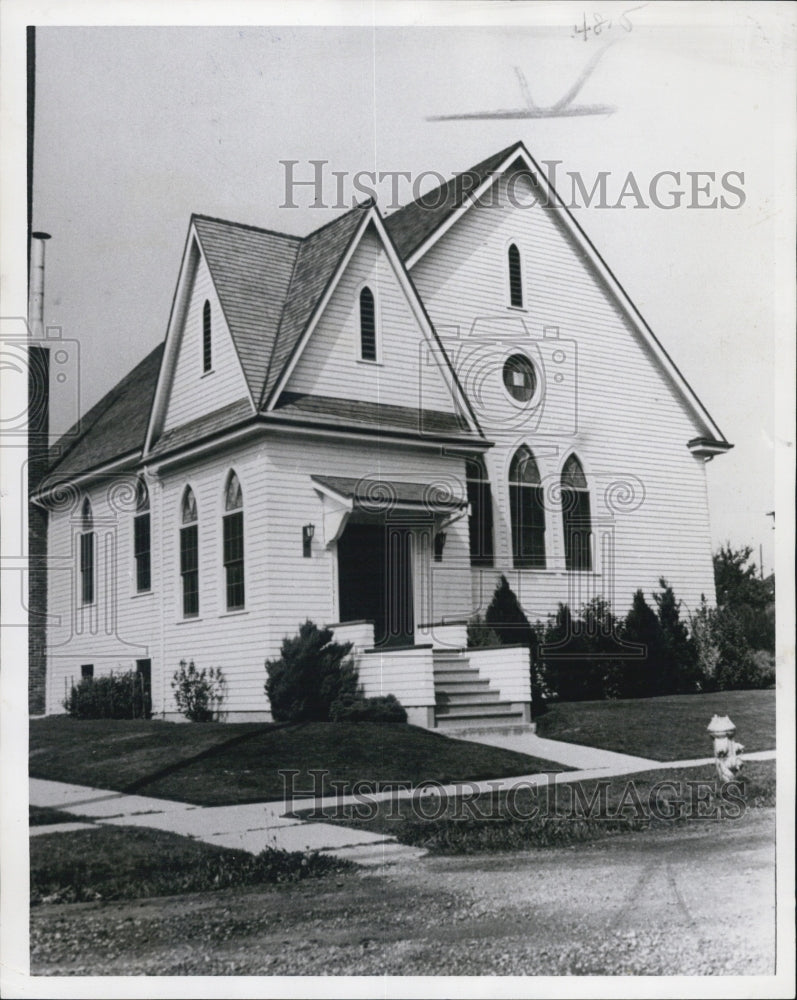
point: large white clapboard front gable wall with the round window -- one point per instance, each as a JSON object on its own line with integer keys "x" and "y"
{"x": 614, "y": 405}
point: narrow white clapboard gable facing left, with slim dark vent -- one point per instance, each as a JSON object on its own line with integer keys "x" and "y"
{"x": 193, "y": 393}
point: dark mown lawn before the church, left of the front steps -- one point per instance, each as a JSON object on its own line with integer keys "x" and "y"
{"x": 218, "y": 764}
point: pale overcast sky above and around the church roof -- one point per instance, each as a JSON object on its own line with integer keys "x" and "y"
{"x": 138, "y": 127}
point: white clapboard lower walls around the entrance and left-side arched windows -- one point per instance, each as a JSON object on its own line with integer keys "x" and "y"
{"x": 282, "y": 588}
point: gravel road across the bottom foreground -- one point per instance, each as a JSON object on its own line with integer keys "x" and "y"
{"x": 663, "y": 902}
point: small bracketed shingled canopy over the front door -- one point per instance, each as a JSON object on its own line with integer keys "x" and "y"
{"x": 377, "y": 498}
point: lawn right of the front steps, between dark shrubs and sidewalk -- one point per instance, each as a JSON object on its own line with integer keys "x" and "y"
{"x": 668, "y": 728}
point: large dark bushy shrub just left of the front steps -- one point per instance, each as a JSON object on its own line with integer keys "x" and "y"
{"x": 311, "y": 673}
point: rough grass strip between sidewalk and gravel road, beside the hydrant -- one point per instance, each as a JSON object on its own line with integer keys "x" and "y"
{"x": 561, "y": 814}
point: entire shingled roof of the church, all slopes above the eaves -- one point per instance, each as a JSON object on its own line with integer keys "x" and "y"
{"x": 269, "y": 286}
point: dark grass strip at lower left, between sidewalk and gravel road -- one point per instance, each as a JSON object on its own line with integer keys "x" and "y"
{"x": 133, "y": 862}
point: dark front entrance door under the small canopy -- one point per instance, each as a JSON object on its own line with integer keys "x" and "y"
{"x": 375, "y": 580}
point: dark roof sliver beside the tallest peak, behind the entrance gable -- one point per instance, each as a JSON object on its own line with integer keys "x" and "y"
{"x": 413, "y": 224}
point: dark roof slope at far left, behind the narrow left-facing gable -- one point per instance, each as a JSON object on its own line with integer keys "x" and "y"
{"x": 115, "y": 426}
